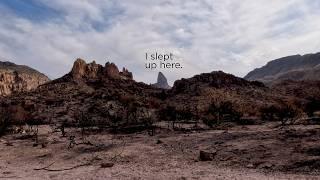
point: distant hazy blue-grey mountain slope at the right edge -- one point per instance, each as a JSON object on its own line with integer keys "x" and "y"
{"x": 296, "y": 67}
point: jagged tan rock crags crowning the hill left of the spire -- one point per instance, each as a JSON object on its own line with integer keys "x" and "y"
{"x": 95, "y": 71}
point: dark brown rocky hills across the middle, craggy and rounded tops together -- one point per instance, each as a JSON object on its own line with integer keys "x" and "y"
{"x": 108, "y": 97}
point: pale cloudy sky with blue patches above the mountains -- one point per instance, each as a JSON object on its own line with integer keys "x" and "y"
{"x": 204, "y": 35}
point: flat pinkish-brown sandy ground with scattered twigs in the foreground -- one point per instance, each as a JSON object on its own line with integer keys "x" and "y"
{"x": 246, "y": 152}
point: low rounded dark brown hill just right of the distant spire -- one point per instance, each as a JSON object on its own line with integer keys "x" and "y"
{"x": 198, "y": 92}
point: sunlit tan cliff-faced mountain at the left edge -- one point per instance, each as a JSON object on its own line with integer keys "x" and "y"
{"x": 18, "y": 78}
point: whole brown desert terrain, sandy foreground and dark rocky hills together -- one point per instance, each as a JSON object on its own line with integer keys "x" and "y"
{"x": 96, "y": 122}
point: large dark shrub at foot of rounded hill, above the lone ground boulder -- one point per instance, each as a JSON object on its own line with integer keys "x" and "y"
{"x": 222, "y": 111}
